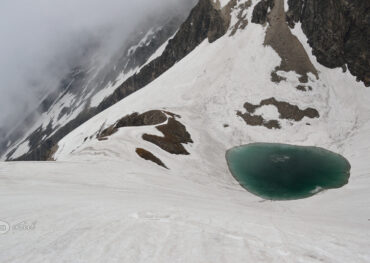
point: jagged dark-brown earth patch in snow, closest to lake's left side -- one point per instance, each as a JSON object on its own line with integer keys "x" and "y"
{"x": 175, "y": 134}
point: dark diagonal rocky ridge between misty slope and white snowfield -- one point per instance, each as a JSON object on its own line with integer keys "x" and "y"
{"x": 206, "y": 20}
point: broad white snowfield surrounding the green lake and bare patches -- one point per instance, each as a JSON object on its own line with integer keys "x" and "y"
{"x": 100, "y": 202}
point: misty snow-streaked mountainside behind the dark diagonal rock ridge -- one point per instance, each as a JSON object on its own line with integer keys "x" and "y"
{"x": 95, "y": 77}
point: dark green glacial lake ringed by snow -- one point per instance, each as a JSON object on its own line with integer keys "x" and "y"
{"x": 287, "y": 172}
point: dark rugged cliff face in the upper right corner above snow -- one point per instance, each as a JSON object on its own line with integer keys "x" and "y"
{"x": 338, "y": 32}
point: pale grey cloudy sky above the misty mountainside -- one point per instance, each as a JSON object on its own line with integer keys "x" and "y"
{"x": 39, "y": 38}
